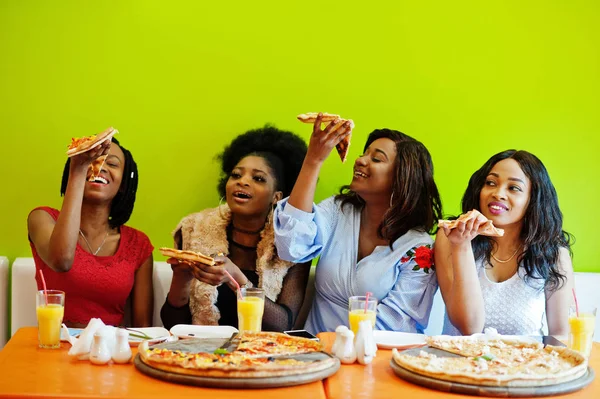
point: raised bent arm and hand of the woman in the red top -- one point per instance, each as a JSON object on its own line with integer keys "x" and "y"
{"x": 55, "y": 241}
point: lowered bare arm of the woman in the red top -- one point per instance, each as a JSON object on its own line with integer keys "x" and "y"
{"x": 143, "y": 295}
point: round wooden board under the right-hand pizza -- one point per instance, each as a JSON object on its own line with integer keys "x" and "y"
{"x": 481, "y": 390}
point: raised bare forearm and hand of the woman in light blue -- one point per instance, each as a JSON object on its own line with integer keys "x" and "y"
{"x": 319, "y": 147}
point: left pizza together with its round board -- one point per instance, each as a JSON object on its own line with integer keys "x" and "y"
{"x": 246, "y": 360}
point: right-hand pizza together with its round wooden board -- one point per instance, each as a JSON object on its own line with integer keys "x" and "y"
{"x": 501, "y": 365}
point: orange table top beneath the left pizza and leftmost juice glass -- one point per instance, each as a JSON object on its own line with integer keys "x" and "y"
{"x": 27, "y": 371}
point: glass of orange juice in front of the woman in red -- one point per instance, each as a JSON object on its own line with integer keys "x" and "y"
{"x": 50, "y": 308}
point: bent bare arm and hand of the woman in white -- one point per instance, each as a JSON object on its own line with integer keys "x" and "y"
{"x": 457, "y": 276}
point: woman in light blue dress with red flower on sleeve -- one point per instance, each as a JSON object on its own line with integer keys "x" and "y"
{"x": 373, "y": 236}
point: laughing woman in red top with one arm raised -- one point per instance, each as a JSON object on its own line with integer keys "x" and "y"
{"x": 85, "y": 250}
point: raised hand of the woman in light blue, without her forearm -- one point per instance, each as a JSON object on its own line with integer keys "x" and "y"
{"x": 322, "y": 141}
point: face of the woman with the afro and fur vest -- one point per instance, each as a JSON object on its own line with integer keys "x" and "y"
{"x": 251, "y": 188}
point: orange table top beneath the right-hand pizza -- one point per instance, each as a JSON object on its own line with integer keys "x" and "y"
{"x": 377, "y": 380}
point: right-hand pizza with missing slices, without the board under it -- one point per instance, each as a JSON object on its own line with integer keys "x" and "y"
{"x": 496, "y": 361}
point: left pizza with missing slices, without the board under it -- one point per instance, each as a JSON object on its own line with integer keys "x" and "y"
{"x": 252, "y": 355}
